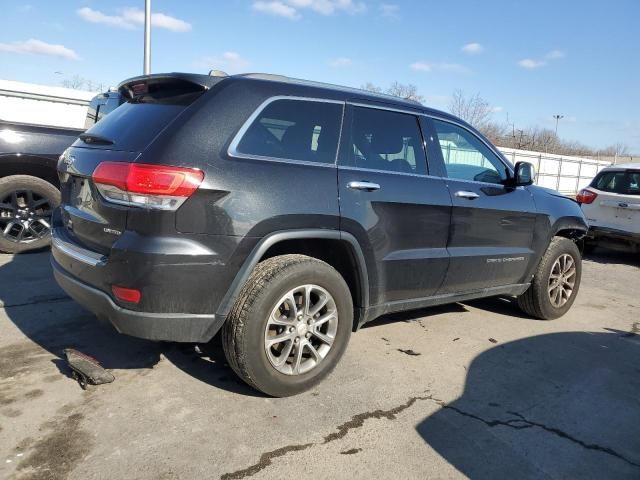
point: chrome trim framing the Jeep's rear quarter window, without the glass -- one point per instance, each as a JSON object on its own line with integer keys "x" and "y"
{"x": 233, "y": 152}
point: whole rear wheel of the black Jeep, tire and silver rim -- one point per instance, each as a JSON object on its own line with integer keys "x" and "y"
{"x": 289, "y": 326}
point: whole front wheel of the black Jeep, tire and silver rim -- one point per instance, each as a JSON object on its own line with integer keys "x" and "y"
{"x": 556, "y": 282}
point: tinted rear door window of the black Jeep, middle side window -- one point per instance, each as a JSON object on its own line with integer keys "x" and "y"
{"x": 385, "y": 140}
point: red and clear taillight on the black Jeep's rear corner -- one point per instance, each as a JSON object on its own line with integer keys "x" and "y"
{"x": 142, "y": 185}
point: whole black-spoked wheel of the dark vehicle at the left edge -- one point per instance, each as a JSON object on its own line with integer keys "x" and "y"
{"x": 26, "y": 205}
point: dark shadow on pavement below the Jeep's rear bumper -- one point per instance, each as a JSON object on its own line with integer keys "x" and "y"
{"x": 40, "y": 310}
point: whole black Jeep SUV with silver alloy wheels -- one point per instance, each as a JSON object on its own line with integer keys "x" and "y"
{"x": 288, "y": 213}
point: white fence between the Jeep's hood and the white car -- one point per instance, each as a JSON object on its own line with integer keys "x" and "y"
{"x": 563, "y": 173}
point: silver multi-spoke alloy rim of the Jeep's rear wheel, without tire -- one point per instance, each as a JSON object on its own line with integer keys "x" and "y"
{"x": 301, "y": 329}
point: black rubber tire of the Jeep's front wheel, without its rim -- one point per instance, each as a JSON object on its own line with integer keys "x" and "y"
{"x": 536, "y": 300}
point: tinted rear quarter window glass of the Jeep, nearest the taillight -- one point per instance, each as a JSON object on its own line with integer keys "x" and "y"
{"x": 294, "y": 130}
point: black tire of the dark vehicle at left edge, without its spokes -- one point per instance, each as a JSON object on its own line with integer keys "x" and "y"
{"x": 40, "y": 190}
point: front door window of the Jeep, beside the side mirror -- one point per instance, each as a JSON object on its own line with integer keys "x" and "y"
{"x": 466, "y": 157}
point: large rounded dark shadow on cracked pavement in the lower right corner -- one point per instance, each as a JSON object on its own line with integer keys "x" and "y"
{"x": 561, "y": 405}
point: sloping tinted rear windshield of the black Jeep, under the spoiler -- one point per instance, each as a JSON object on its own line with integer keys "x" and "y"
{"x": 134, "y": 124}
